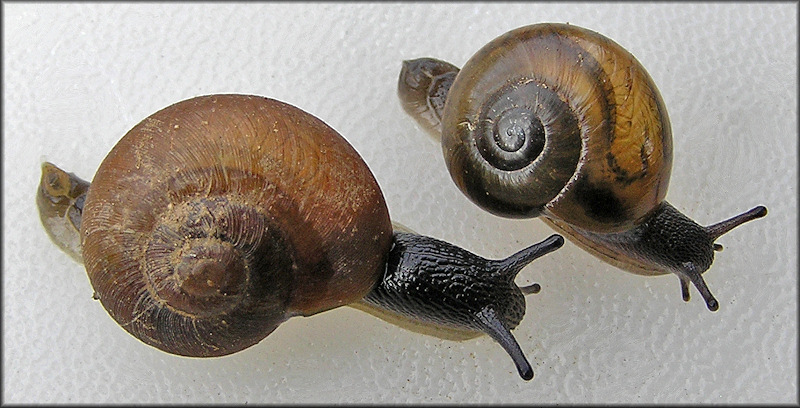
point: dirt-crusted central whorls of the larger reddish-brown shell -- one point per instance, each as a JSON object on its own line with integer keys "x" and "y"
{"x": 201, "y": 253}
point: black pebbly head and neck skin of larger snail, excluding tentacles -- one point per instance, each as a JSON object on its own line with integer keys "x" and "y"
{"x": 440, "y": 283}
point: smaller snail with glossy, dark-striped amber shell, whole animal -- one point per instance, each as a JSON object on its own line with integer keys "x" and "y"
{"x": 561, "y": 122}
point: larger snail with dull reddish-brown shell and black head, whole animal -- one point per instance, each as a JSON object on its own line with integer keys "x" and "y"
{"x": 217, "y": 218}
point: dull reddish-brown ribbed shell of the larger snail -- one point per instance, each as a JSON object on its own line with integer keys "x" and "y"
{"x": 217, "y": 218}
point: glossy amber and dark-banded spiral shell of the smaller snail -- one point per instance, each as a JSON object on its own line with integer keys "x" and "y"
{"x": 558, "y": 120}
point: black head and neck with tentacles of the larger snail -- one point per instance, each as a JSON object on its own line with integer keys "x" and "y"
{"x": 438, "y": 283}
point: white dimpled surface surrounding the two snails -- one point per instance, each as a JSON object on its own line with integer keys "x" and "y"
{"x": 76, "y": 77}
